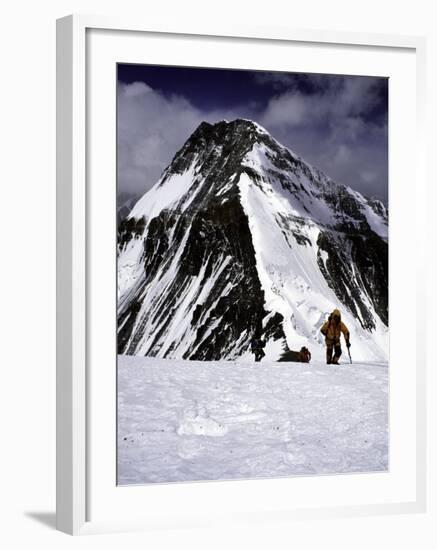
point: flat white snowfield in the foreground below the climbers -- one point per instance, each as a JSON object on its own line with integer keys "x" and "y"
{"x": 198, "y": 420}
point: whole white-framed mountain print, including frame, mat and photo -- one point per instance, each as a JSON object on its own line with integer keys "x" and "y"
{"x": 234, "y": 208}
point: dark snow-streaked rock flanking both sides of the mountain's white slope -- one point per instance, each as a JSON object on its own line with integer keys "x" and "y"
{"x": 200, "y": 251}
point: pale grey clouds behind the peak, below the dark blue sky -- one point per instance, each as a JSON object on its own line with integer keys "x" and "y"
{"x": 326, "y": 127}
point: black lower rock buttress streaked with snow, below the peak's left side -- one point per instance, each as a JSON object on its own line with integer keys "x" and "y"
{"x": 216, "y": 234}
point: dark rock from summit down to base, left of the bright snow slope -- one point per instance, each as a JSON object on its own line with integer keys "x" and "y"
{"x": 218, "y": 232}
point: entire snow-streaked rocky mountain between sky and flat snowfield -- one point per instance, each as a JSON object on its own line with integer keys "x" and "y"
{"x": 240, "y": 235}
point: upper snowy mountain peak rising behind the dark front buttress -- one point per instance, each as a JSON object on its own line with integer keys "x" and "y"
{"x": 215, "y": 156}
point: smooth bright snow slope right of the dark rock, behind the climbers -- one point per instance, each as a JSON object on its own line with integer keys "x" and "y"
{"x": 290, "y": 276}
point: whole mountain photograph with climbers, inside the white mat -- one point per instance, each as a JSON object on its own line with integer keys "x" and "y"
{"x": 252, "y": 255}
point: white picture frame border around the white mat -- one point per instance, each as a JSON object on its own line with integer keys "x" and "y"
{"x": 74, "y": 394}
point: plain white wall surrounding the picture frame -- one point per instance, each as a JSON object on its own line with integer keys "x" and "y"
{"x": 27, "y": 217}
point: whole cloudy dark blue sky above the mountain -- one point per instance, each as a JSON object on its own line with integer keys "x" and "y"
{"x": 336, "y": 123}
